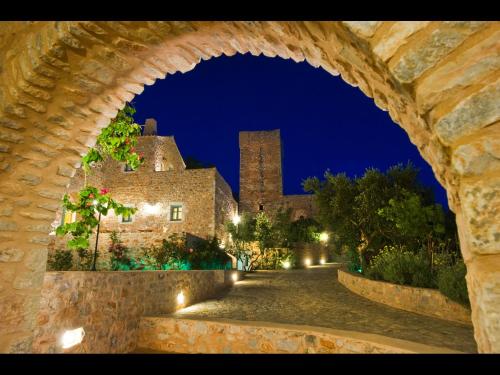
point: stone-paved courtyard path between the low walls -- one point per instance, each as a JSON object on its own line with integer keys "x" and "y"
{"x": 315, "y": 297}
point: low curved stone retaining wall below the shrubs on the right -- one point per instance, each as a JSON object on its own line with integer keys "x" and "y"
{"x": 423, "y": 301}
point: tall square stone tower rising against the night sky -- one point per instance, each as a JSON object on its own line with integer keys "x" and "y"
{"x": 261, "y": 183}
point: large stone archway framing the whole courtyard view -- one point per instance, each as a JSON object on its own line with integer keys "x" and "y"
{"x": 61, "y": 82}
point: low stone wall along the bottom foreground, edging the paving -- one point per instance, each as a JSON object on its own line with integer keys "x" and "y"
{"x": 172, "y": 335}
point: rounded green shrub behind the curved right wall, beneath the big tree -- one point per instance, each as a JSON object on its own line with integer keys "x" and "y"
{"x": 397, "y": 265}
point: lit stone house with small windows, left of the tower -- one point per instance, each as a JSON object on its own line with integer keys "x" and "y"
{"x": 169, "y": 198}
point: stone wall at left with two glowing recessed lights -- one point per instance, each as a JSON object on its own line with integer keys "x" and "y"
{"x": 108, "y": 305}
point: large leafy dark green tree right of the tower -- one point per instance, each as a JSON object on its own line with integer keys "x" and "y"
{"x": 351, "y": 208}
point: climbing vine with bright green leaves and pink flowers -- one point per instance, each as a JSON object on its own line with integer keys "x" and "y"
{"x": 118, "y": 141}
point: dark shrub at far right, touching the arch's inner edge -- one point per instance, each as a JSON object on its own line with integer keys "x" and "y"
{"x": 451, "y": 282}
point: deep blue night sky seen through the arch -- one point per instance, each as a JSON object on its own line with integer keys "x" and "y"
{"x": 324, "y": 122}
